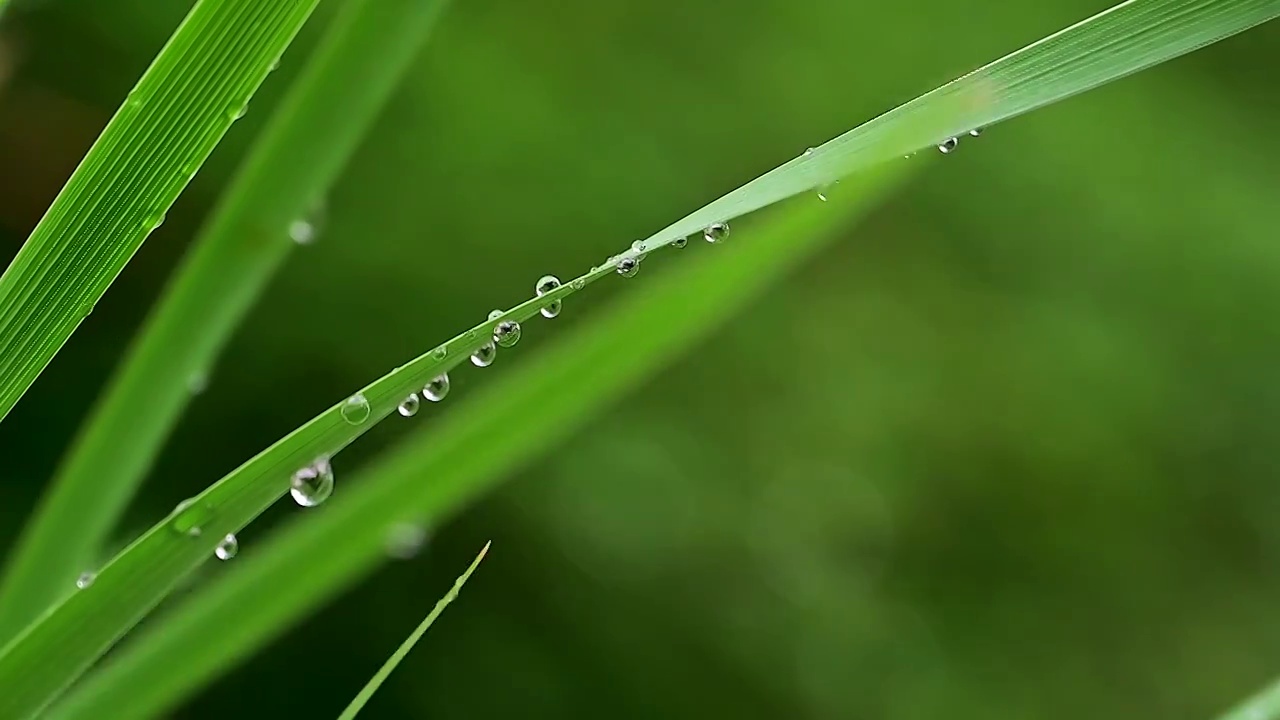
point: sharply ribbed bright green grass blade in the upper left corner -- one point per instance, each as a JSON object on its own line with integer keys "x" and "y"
{"x": 195, "y": 89}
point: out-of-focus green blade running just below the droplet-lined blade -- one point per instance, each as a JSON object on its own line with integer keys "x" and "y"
{"x": 465, "y": 455}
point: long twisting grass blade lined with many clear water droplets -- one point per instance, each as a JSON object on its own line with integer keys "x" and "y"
{"x": 1084, "y": 57}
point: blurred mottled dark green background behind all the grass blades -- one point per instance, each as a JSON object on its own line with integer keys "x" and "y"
{"x": 1011, "y": 450}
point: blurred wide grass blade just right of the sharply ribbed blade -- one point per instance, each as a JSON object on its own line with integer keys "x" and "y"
{"x": 291, "y": 167}
